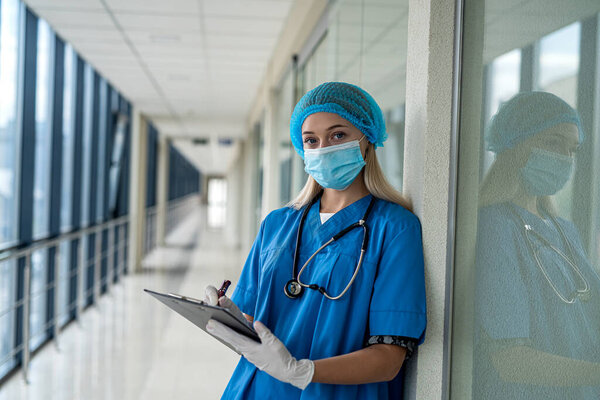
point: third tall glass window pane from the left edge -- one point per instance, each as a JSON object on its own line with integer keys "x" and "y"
{"x": 68, "y": 151}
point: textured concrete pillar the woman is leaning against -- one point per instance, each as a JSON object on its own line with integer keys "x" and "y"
{"x": 428, "y": 176}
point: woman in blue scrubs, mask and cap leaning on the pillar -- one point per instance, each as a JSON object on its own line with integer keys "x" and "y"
{"x": 337, "y": 320}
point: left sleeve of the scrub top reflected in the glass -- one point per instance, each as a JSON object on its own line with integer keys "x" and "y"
{"x": 501, "y": 300}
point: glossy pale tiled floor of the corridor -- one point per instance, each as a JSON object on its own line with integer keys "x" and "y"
{"x": 130, "y": 346}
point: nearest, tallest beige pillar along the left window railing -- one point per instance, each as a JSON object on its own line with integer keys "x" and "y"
{"x": 137, "y": 189}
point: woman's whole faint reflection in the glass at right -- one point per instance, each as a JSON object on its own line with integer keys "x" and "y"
{"x": 537, "y": 324}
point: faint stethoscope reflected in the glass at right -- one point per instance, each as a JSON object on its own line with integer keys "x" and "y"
{"x": 584, "y": 293}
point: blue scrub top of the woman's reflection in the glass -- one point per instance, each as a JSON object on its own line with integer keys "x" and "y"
{"x": 515, "y": 304}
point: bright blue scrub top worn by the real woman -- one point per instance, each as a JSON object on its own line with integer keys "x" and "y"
{"x": 387, "y": 297}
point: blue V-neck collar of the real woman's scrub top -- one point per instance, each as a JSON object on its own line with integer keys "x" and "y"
{"x": 338, "y": 221}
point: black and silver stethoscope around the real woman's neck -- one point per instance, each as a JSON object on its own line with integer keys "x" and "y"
{"x": 294, "y": 287}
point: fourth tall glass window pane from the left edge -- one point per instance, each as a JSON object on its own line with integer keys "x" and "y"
{"x": 88, "y": 109}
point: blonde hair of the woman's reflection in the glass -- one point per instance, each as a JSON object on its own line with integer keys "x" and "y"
{"x": 502, "y": 181}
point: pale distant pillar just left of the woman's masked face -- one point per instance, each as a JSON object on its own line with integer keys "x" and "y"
{"x": 271, "y": 168}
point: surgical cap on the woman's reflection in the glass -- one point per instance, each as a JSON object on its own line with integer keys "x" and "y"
{"x": 526, "y": 114}
